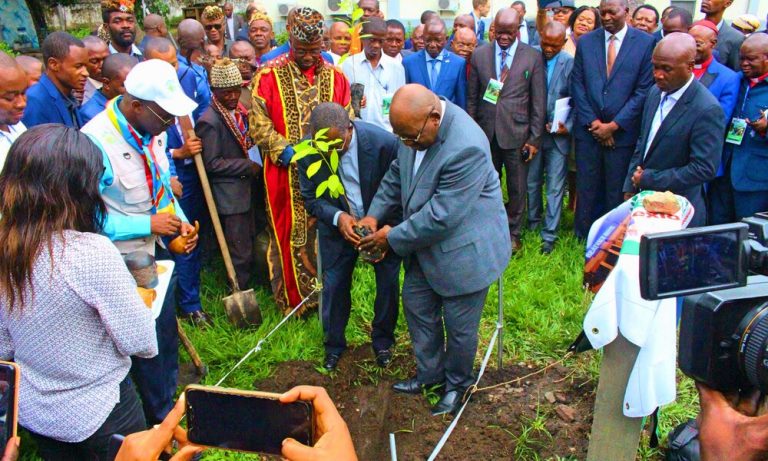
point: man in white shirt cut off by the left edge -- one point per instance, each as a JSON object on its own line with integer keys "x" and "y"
{"x": 13, "y": 84}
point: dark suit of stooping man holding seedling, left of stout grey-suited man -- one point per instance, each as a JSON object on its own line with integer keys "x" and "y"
{"x": 376, "y": 149}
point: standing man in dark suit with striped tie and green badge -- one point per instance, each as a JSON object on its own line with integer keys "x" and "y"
{"x": 507, "y": 97}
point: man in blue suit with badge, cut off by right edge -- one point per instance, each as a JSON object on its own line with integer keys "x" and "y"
{"x": 747, "y": 159}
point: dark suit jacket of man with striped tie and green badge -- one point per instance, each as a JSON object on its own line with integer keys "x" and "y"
{"x": 520, "y": 113}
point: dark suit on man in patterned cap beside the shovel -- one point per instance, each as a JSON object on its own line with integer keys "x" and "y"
{"x": 237, "y": 191}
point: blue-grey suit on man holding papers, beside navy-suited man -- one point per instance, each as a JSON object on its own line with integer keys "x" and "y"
{"x": 553, "y": 158}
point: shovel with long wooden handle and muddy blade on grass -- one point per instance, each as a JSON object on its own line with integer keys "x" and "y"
{"x": 241, "y": 306}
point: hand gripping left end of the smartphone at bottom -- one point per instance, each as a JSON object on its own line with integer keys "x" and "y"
{"x": 147, "y": 445}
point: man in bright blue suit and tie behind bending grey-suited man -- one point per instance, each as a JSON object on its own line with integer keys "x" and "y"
{"x": 436, "y": 68}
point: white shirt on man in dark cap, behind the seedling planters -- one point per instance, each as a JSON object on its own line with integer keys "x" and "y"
{"x": 381, "y": 82}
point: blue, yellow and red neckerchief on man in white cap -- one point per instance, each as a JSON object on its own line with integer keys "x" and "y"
{"x": 162, "y": 201}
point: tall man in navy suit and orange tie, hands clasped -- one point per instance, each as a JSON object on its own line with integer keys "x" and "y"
{"x": 612, "y": 73}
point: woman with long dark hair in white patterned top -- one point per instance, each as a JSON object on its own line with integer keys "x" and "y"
{"x": 70, "y": 315}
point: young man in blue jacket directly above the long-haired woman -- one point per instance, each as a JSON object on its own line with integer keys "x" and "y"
{"x": 50, "y": 100}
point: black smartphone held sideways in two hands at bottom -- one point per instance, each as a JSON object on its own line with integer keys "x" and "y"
{"x": 248, "y": 421}
